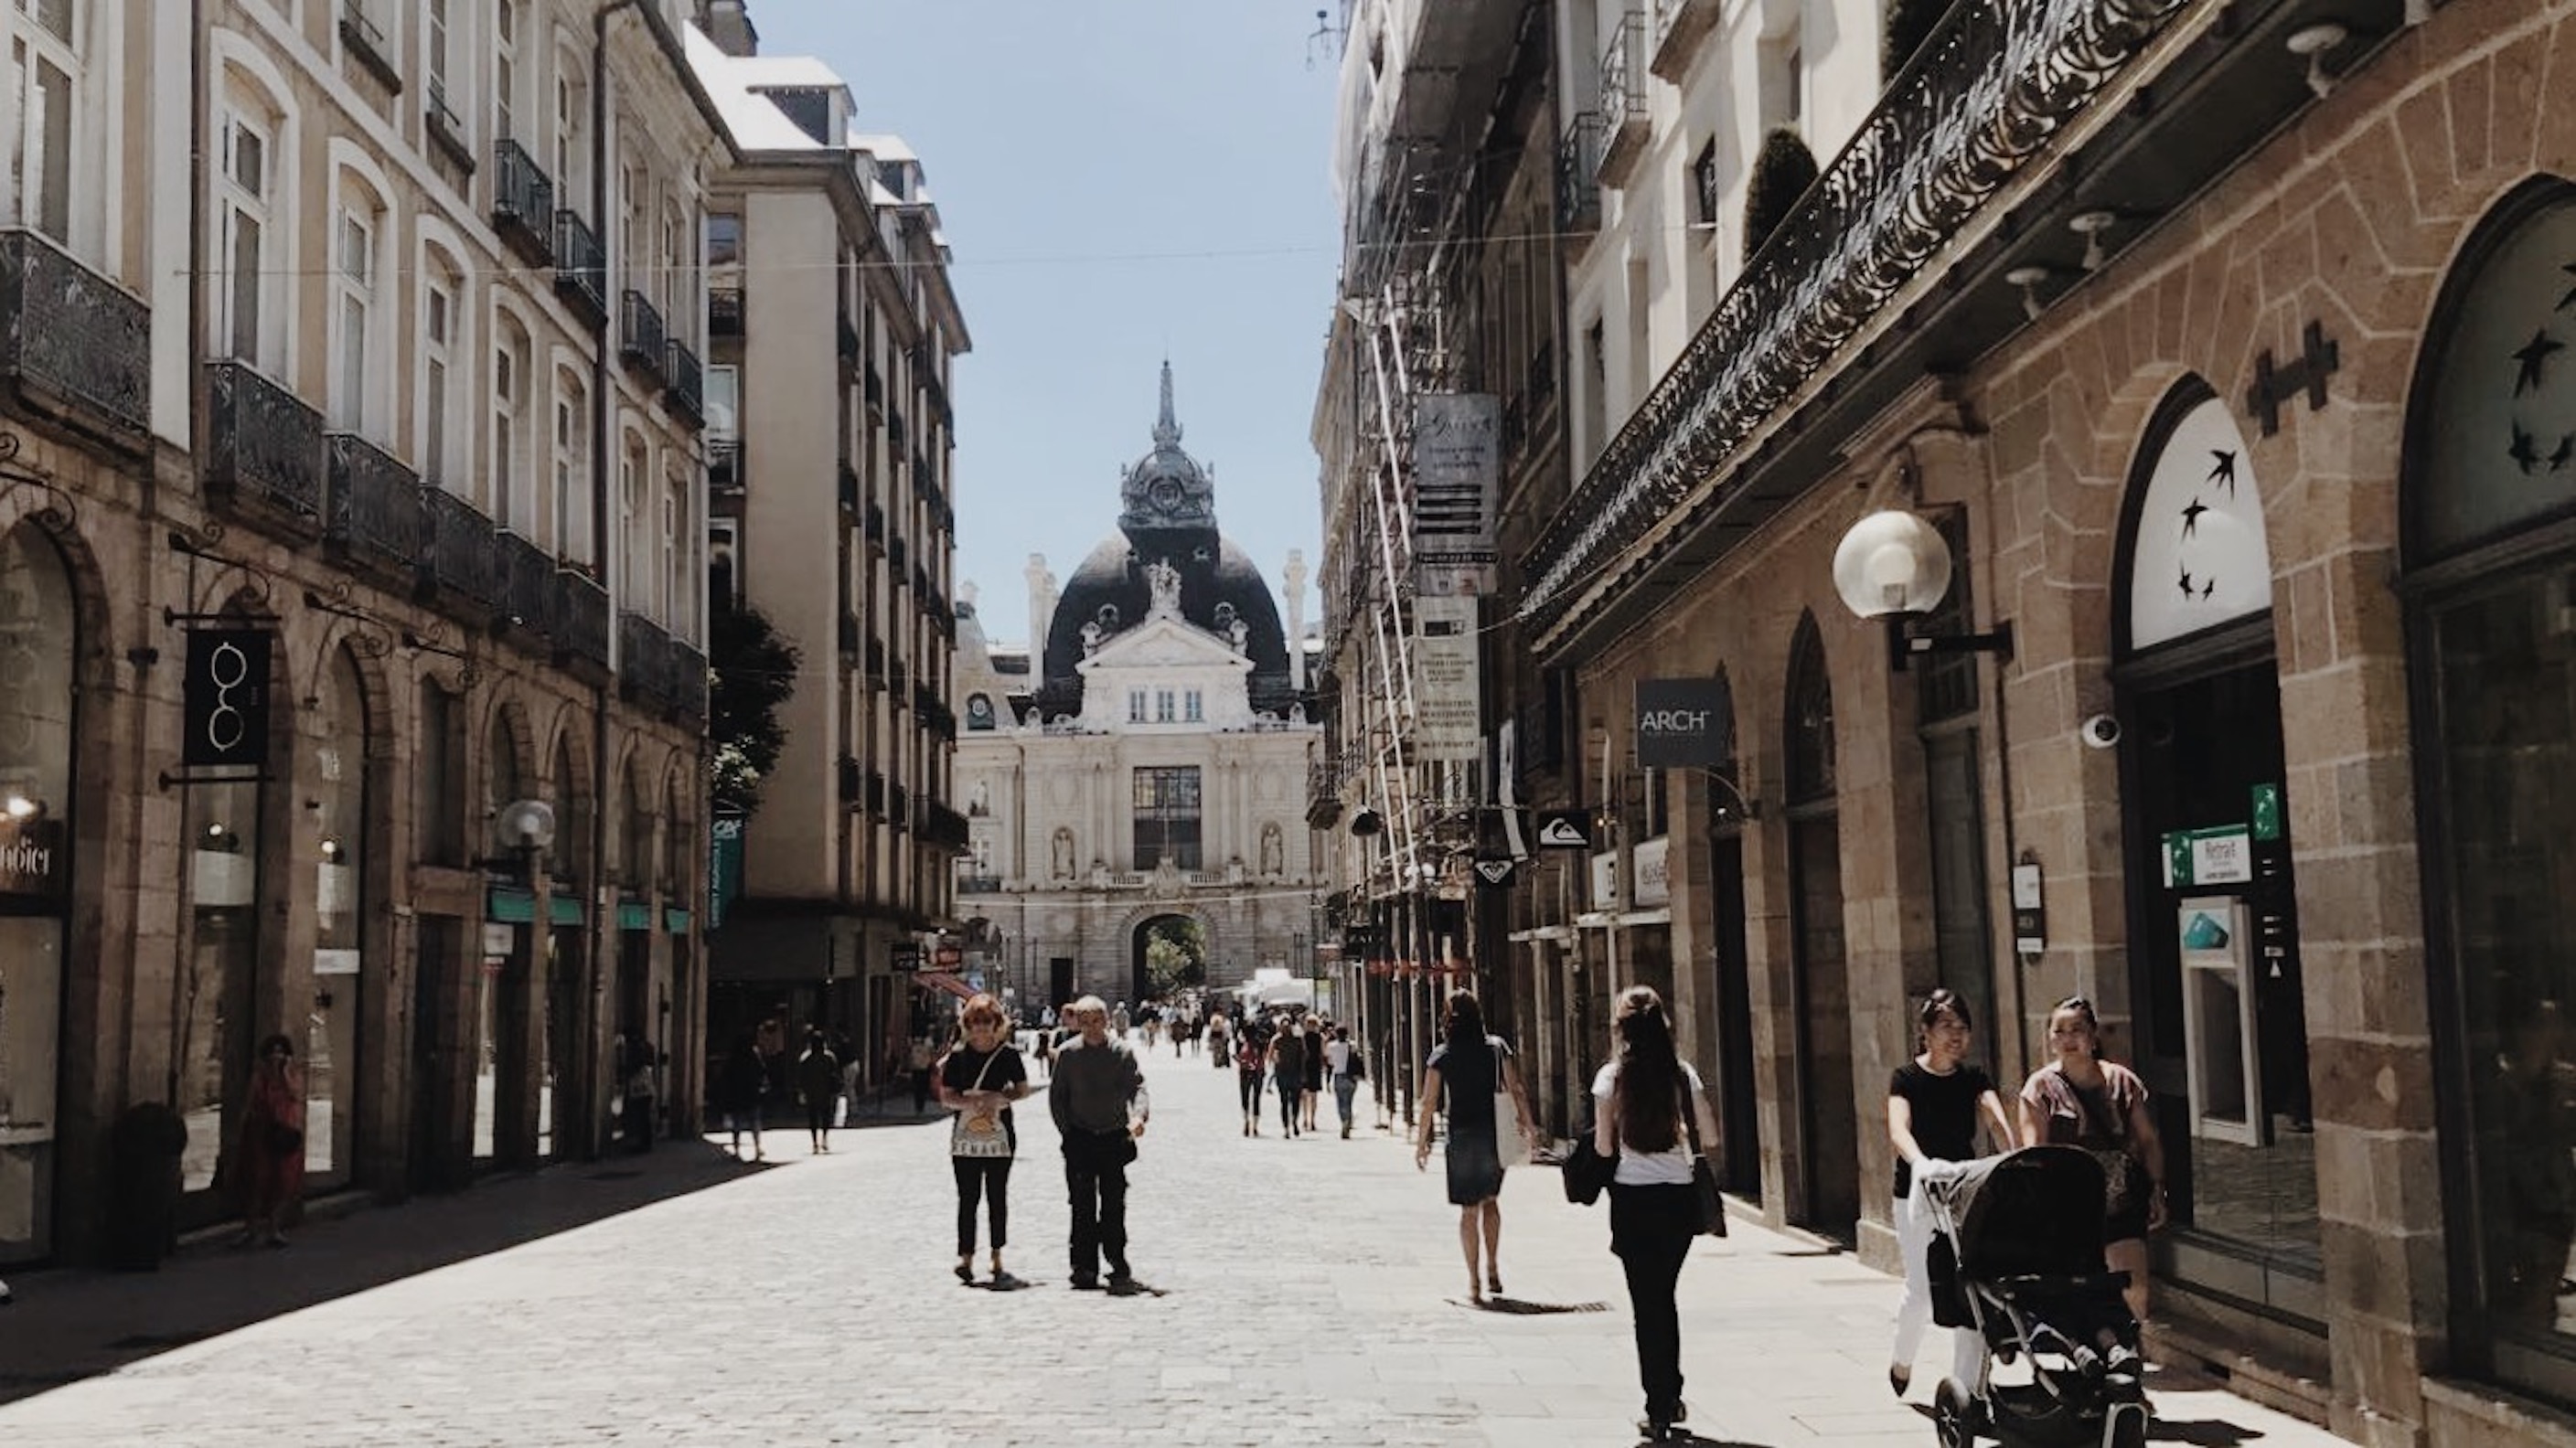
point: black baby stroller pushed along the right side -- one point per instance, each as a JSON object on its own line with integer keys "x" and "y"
{"x": 2018, "y": 1256}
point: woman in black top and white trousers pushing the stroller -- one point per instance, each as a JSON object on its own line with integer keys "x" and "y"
{"x": 1936, "y": 1104}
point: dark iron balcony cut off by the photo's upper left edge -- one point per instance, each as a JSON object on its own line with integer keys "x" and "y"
{"x": 73, "y": 344}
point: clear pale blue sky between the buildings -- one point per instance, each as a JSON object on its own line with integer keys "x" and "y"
{"x": 1119, "y": 179}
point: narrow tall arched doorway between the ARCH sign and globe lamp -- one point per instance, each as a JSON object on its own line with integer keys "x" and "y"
{"x": 1823, "y": 986}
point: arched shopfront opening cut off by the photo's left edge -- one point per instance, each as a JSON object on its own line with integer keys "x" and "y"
{"x": 40, "y": 643}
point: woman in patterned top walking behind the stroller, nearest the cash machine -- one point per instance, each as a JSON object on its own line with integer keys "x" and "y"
{"x": 2085, "y": 1101}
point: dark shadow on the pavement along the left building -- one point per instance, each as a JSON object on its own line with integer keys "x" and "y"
{"x": 81, "y": 1323}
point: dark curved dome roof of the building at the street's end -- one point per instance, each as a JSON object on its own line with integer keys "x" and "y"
{"x": 1114, "y": 578}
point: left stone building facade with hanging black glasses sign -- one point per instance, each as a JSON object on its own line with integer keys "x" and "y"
{"x": 313, "y": 566}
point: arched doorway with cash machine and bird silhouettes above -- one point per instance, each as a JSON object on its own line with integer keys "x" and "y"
{"x": 2214, "y": 980}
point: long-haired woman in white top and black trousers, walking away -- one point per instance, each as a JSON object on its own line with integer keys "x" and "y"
{"x": 1655, "y": 1212}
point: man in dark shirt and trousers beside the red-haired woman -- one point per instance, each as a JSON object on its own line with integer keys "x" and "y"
{"x": 1101, "y": 1107}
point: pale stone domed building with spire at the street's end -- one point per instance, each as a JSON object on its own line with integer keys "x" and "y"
{"x": 1140, "y": 772}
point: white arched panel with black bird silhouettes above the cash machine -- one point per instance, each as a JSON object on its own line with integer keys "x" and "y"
{"x": 2199, "y": 553}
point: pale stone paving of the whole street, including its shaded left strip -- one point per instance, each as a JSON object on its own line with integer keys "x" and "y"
{"x": 1310, "y": 1295}
